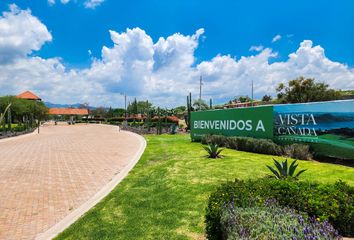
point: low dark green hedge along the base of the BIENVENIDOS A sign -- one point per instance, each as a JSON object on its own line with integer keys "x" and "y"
{"x": 247, "y": 144}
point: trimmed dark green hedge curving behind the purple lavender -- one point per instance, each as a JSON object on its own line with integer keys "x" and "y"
{"x": 334, "y": 202}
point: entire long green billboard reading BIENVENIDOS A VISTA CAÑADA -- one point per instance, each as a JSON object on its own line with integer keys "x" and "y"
{"x": 328, "y": 127}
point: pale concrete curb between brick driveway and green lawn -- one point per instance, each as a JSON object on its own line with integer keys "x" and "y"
{"x": 77, "y": 213}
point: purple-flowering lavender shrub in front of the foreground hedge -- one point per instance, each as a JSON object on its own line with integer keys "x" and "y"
{"x": 276, "y": 223}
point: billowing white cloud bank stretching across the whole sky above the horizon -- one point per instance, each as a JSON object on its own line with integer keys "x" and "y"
{"x": 163, "y": 71}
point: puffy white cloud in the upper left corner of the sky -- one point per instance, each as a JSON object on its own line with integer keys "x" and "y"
{"x": 20, "y": 34}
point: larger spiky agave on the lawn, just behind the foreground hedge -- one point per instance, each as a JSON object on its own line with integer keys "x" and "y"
{"x": 283, "y": 170}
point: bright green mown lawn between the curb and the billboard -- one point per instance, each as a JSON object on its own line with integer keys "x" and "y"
{"x": 165, "y": 195}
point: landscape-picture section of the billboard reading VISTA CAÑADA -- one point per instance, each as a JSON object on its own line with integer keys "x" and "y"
{"x": 328, "y": 127}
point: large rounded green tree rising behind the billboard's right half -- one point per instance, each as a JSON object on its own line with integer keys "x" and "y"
{"x": 303, "y": 90}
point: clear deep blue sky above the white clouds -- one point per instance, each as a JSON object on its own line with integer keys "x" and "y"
{"x": 231, "y": 27}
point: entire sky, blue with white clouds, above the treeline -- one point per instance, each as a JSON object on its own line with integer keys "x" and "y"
{"x": 72, "y": 51}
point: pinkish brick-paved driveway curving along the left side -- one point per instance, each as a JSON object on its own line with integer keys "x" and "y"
{"x": 45, "y": 176}
